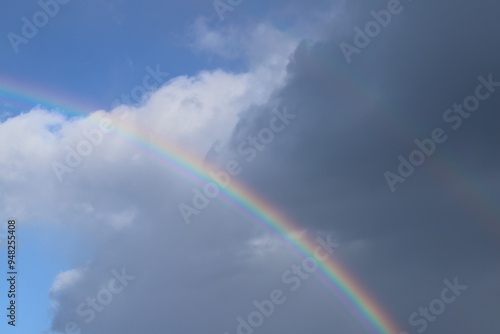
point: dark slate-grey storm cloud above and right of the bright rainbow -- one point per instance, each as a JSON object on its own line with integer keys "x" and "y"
{"x": 354, "y": 120}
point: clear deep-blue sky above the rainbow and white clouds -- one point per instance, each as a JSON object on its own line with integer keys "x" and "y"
{"x": 100, "y": 49}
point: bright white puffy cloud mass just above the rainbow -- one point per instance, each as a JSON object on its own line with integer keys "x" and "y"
{"x": 209, "y": 105}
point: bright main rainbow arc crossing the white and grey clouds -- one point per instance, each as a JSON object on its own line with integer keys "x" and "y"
{"x": 254, "y": 208}
